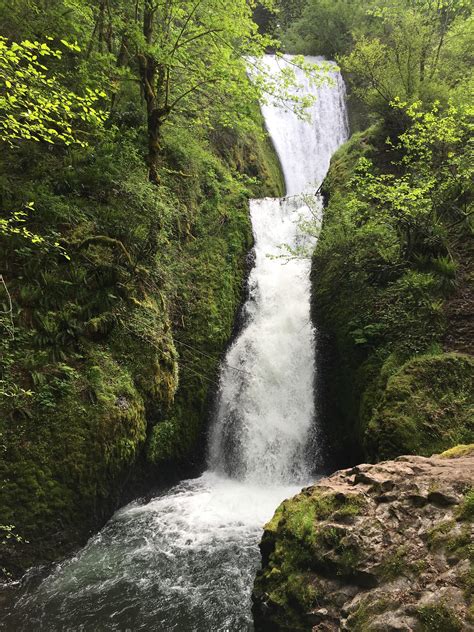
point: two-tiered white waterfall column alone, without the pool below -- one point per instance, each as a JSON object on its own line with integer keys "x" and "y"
{"x": 266, "y": 401}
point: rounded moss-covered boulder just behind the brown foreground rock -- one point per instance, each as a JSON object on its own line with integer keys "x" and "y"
{"x": 426, "y": 408}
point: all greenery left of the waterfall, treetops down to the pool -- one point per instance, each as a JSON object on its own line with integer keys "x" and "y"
{"x": 124, "y": 232}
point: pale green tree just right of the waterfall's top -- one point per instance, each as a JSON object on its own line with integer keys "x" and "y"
{"x": 403, "y": 55}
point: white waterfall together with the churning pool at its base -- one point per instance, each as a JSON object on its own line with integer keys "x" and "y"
{"x": 186, "y": 560}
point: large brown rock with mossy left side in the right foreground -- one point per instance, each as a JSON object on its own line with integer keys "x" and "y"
{"x": 374, "y": 548}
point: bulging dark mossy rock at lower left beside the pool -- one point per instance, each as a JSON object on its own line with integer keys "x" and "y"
{"x": 64, "y": 462}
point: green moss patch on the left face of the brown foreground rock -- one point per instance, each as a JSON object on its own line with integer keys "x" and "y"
{"x": 299, "y": 542}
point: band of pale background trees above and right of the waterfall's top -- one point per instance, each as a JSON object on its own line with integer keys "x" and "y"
{"x": 391, "y": 48}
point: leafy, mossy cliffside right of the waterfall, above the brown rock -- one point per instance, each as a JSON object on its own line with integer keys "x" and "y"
{"x": 385, "y": 252}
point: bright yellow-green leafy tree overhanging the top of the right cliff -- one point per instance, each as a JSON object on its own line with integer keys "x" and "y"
{"x": 431, "y": 190}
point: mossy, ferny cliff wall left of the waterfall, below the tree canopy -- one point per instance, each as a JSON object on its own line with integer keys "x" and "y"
{"x": 138, "y": 294}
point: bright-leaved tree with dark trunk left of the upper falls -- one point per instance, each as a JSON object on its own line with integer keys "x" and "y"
{"x": 185, "y": 54}
